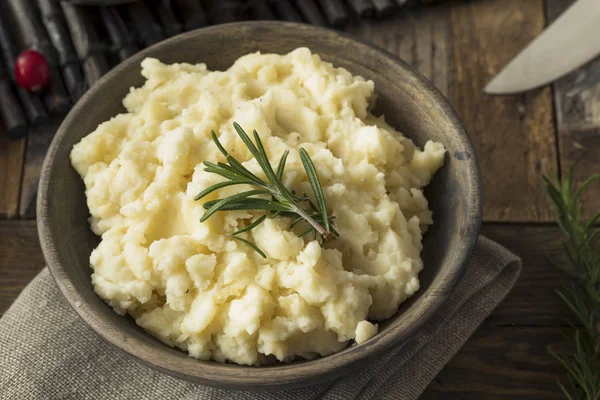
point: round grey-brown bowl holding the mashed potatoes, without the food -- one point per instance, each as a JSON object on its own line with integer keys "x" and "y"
{"x": 410, "y": 103}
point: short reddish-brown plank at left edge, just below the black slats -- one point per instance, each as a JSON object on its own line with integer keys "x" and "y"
{"x": 11, "y": 166}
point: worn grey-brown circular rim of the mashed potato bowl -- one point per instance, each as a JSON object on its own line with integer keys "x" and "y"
{"x": 234, "y": 376}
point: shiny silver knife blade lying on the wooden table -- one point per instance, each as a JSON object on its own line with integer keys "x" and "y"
{"x": 571, "y": 41}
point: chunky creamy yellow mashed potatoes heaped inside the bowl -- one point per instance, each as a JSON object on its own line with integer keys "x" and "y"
{"x": 193, "y": 287}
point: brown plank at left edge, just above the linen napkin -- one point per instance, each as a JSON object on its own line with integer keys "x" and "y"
{"x": 20, "y": 259}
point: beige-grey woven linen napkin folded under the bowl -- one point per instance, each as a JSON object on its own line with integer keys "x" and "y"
{"x": 47, "y": 352}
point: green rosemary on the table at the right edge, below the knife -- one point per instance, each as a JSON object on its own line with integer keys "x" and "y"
{"x": 582, "y": 294}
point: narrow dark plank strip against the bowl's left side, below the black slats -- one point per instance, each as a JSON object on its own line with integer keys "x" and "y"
{"x": 37, "y": 146}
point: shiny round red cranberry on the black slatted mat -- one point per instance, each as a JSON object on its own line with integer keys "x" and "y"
{"x": 32, "y": 71}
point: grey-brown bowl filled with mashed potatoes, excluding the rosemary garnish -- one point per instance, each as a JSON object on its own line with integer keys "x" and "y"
{"x": 120, "y": 225}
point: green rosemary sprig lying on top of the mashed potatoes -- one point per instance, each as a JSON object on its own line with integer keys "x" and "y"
{"x": 276, "y": 199}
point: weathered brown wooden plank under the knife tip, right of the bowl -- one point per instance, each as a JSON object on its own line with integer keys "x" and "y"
{"x": 514, "y": 135}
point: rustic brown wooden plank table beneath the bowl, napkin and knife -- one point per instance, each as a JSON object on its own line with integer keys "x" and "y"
{"x": 459, "y": 46}
